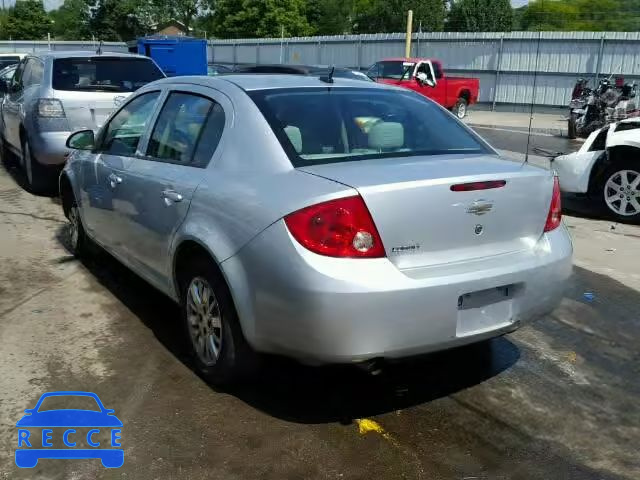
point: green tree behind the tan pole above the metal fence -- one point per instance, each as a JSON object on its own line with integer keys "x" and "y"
{"x": 389, "y": 16}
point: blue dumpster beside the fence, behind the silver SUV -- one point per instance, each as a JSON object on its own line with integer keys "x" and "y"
{"x": 175, "y": 55}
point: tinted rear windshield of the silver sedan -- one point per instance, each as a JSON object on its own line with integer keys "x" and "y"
{"x": 325, "y": 125}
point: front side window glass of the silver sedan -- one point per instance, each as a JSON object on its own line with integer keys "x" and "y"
{"x": 127, "y": 126}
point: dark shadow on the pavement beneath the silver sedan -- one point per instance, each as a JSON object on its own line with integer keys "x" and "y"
{"x": 288, "y": 390}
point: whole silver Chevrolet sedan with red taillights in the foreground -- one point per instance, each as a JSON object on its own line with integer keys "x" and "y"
{"x": 329, "y": 220}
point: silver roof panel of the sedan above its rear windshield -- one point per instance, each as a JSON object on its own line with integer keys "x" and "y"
{"x": 271, "y": 81}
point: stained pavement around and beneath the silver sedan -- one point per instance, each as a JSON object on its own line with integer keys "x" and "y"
{"x": 558, "y": 399}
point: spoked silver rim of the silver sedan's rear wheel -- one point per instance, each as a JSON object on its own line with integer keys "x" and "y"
{"x": 205, "y": 321}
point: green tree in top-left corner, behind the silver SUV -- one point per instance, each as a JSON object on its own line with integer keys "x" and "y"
{"x": 27, "y": 20}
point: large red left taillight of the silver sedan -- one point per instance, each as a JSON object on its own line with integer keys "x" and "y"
{"x": 337, "y": 228}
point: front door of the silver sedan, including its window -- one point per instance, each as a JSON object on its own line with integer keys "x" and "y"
{"x": 107, "y": 192}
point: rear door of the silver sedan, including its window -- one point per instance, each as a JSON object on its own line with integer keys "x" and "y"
{"x": 181, "y": 145}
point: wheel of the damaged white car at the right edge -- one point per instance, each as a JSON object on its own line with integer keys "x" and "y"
{"x": 620, "y": 191}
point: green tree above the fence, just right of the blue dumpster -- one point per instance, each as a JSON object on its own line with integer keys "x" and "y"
{"x": 260, "y": 18}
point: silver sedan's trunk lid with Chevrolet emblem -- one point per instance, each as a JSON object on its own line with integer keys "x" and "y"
{"x": 423, "y": 222}
